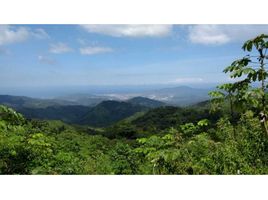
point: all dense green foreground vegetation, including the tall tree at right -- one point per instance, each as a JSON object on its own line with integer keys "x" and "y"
{"x": 226, "y": 136}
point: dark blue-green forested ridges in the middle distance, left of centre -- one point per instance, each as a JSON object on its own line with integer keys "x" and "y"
{"x": 102, "y": 114}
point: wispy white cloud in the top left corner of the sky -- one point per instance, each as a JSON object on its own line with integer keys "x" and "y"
{"x": 12, "y": 34}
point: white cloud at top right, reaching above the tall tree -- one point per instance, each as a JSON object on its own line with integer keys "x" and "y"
{"x": 222, "y": 34}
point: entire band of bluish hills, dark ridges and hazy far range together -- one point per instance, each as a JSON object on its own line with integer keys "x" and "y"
{"x": 102, "y": 110}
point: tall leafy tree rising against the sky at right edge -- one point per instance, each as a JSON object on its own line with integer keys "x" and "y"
{"x": 246, "y": 72}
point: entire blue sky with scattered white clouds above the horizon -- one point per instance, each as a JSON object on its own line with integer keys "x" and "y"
{"x": 64, "y": 55}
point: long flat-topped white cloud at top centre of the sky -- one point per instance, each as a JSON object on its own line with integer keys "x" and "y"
{"x": 130, "y": 30}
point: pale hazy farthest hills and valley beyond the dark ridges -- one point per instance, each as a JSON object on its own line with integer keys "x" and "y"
{"x": 177, "y": 96}
